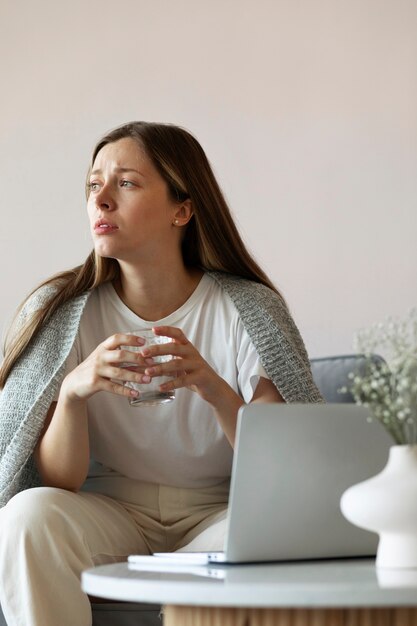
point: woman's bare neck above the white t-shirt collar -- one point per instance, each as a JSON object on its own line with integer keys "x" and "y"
{"x": 156, "y": 294}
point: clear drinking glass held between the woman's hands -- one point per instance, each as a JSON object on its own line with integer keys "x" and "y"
{"x": 149, "y": 393}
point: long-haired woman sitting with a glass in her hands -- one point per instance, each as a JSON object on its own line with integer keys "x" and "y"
{"x": 167, "y": 256}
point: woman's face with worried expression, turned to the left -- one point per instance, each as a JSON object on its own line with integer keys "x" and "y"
{"x": 130, "y": 210}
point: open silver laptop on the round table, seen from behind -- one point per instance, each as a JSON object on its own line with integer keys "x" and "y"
{"x": 291, "y": 465}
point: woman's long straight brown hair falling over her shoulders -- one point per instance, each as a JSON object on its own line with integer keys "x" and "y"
{"x": 211, "y": 240}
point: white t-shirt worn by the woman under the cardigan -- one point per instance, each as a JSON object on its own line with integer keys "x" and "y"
{"x": 179, "y": 443}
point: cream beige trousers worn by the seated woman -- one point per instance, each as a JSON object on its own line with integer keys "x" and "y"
{"x": 49, "y": 536}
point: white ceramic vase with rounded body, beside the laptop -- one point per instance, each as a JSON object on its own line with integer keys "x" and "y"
{"x": 387, "y": 505}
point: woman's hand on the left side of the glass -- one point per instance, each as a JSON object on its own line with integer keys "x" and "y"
{"x": 106, "y": 369}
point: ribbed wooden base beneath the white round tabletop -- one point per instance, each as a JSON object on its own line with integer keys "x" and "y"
{"x": 209, "y": 616}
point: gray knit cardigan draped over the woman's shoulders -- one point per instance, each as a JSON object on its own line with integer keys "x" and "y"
{"x": 37, "y": 375}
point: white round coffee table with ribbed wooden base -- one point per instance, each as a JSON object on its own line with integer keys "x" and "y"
{"x": 330, "y": 593}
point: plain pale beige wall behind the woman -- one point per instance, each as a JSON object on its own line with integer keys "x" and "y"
{"x": 307, "y": 110}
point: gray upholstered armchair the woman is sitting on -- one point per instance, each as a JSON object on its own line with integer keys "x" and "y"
{"x": 330, "y": 374}
